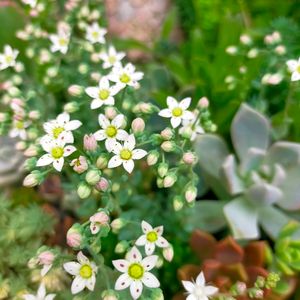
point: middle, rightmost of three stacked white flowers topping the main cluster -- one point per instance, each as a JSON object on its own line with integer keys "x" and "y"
{"x": 124, "y": 76}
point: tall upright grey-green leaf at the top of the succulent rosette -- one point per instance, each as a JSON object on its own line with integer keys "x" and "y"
{"x": 249, "y": 129}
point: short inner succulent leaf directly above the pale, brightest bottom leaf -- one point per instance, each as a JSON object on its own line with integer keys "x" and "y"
{"x": 263, "y": 194}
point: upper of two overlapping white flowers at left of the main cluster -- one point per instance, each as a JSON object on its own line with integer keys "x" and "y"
{"x": 61, "y": 128}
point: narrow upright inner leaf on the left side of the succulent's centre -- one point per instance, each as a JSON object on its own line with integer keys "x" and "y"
{"x": 229, "y": 173}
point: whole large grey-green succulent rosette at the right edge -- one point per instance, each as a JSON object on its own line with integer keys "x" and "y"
{"x": 261, "y": 180}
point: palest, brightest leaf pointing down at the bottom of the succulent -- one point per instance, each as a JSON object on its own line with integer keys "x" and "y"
{"x": 242, "y": 218}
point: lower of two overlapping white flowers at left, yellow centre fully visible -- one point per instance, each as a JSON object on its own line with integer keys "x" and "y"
{"x": 56, "y": 152}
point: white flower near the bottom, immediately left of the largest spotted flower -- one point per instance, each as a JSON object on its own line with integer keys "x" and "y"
{"x": 84, "y": 272}
